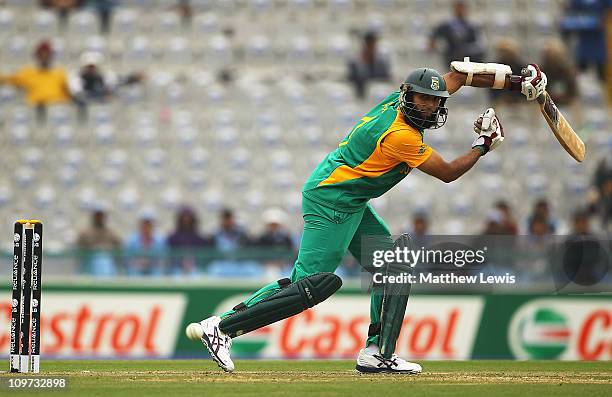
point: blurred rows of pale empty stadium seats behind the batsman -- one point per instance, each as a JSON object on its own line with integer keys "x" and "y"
{"x": 185, "y": 137}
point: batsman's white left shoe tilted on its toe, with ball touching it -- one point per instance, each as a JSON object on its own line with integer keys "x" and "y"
{"x": 217, "y": 343}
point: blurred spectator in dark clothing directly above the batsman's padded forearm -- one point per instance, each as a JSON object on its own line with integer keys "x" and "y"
{"x": 461, "y": 38}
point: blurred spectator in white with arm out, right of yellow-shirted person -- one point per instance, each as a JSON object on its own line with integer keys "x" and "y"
{"x": 92, "y": 83}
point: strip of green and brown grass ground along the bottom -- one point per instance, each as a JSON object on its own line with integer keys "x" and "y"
{"x": 178, "y": 378}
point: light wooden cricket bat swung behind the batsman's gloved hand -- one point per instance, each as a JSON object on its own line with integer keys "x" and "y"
{"x": 564, "y": 132}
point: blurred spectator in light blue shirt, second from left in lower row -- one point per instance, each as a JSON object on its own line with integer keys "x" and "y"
{"x": 145, "y": 249}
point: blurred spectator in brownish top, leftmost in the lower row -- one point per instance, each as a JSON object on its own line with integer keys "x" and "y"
{"x": 98, "y": 246}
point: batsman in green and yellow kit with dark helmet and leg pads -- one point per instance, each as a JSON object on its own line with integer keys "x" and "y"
{"x": 380, "y": 151}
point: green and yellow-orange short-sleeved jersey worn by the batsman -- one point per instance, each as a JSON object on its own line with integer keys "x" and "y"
{"x": 376, "y": 155}
